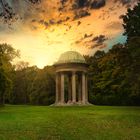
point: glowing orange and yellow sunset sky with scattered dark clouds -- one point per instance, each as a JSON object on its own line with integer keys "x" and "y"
{"x": 42, "y": 32}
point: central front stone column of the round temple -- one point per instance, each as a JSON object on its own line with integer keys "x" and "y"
{"x": 73, "y": 87}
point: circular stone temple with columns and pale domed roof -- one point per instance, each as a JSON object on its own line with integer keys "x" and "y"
{"x": 71, "y": 79}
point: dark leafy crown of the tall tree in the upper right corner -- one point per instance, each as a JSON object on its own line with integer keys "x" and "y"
{"x": 131, "y": 22}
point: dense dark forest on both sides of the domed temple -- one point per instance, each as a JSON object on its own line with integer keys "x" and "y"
{"x": 113, "y": 76}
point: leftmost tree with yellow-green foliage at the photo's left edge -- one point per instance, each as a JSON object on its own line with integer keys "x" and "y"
{"x": 7, "y": 54}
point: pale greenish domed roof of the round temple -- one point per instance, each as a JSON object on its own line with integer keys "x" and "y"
{"x": 71, "y": 57}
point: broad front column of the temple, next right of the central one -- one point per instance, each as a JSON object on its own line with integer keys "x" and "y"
{"x": 83, "y": 88}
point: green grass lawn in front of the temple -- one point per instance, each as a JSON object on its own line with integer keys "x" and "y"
{"x": 69, "y": 123}
